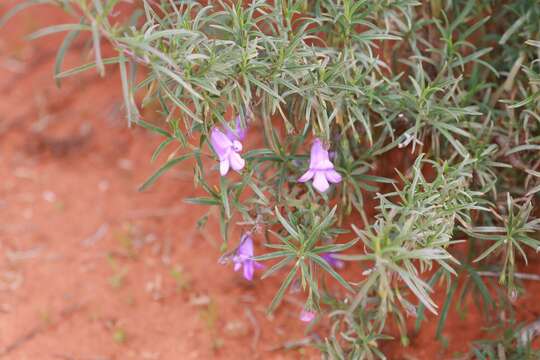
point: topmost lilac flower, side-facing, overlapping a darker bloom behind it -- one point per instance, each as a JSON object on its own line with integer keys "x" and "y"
{"x": 227, "y": 147}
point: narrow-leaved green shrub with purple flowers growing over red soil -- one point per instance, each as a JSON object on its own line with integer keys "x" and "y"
{"x": 373, "y": 153}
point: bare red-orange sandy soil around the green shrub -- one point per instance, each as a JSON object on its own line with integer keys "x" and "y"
{"x": 90, "y": 268}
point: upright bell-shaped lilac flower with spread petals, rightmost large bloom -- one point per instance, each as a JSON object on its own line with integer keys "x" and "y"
{"x": 321, "y": 169}
